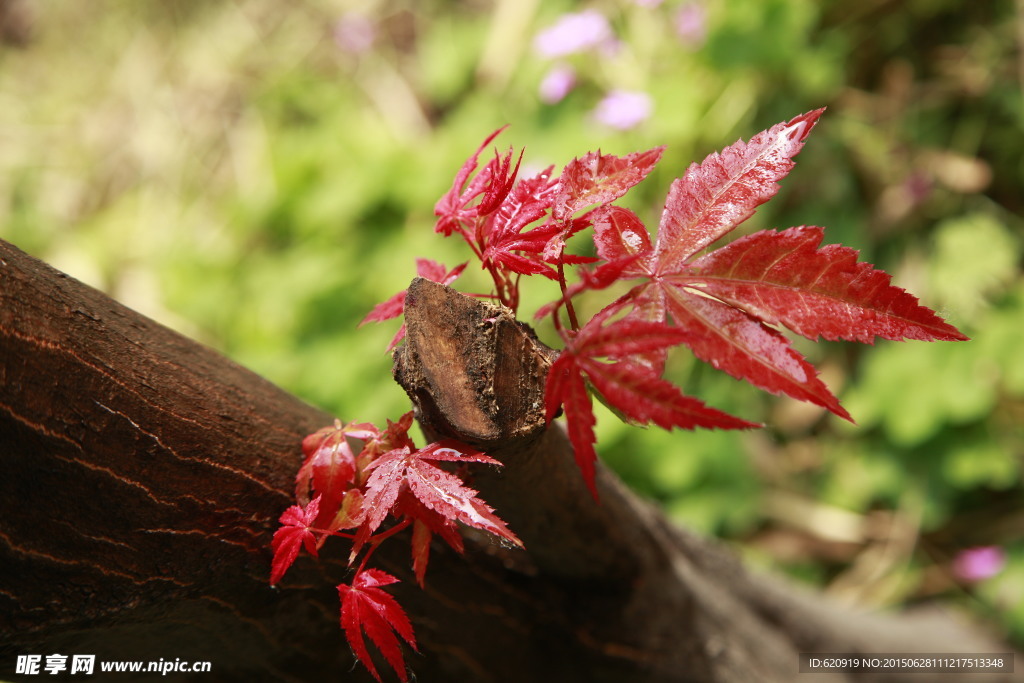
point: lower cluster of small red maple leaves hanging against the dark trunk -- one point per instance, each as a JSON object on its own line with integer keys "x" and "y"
{"x": 356, "y": 492}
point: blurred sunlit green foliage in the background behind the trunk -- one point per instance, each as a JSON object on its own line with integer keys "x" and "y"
{"x": 246, "y": 174}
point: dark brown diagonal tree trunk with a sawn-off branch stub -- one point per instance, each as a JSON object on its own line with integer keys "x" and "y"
{"x": 144, "y": 476}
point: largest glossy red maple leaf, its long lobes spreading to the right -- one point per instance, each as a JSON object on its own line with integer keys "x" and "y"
{"x": 727, "y": 301}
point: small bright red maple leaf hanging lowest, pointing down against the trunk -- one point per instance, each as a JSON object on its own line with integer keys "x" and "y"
{"x": 366, "y": 608}
